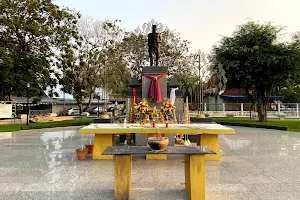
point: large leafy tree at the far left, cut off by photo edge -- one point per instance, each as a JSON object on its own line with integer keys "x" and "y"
{"x": 30, "y": 33}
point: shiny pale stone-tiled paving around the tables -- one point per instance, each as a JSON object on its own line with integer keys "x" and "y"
{"x": 255, "y": 164}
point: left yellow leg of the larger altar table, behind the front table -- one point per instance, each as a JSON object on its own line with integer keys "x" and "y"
{"x": 102, "y": 141}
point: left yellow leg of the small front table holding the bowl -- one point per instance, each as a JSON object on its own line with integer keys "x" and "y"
{"x": 123, "y": 166}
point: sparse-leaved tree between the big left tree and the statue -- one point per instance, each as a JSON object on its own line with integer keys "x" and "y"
{"x": 84, "y": 66}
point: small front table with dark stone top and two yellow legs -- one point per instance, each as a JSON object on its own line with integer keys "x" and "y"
{"x": 194, "y": 168}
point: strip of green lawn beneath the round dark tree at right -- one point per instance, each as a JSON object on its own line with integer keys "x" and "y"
{"x": 292, "y": 125}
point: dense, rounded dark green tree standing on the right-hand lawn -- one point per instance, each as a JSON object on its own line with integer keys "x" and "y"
{"x": 253, "y": 58}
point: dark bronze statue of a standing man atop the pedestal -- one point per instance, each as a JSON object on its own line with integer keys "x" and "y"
{"x": 154, "y": 41}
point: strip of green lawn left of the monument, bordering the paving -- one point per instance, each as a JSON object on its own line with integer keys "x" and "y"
{"x": 18, "y": 127}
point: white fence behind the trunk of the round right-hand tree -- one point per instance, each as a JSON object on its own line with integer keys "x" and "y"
{"x": 243, "y": 109}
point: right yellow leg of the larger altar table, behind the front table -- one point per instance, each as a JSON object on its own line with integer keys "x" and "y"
{"x": 211, "y": 141}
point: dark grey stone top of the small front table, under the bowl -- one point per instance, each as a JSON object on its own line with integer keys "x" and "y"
{"x": 129, "y": 150}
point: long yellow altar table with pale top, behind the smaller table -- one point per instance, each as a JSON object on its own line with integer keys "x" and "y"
{"x": 104, "y": 135}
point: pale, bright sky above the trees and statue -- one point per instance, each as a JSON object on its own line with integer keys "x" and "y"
{"x": 202, "y": 22}
